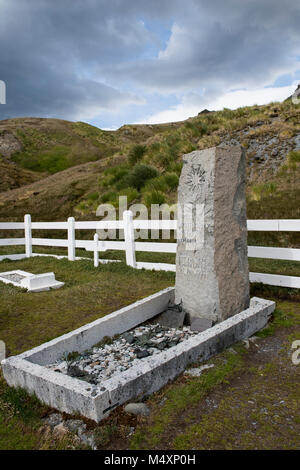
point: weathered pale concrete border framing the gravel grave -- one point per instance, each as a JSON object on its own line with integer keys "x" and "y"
{"x": 72, "y": 395}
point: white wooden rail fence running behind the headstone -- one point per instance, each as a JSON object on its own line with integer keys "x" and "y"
{"x": 130, "y": 246}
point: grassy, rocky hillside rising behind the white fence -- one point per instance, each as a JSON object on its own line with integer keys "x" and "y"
{"x": 60, "y": 168}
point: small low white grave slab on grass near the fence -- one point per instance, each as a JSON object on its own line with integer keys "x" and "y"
{"x": 31, "y": 282}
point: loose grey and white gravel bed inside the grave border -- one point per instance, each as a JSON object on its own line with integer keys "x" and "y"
{"x": 103, "y": 361}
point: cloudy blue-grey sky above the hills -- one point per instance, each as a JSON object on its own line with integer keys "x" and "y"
{"x": 111, "y": 62}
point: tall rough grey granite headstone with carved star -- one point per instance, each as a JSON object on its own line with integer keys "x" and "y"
{"x": 212, "y": 278}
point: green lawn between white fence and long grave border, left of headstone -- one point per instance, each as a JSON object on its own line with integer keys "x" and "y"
{"x": 28, "y": 319}
